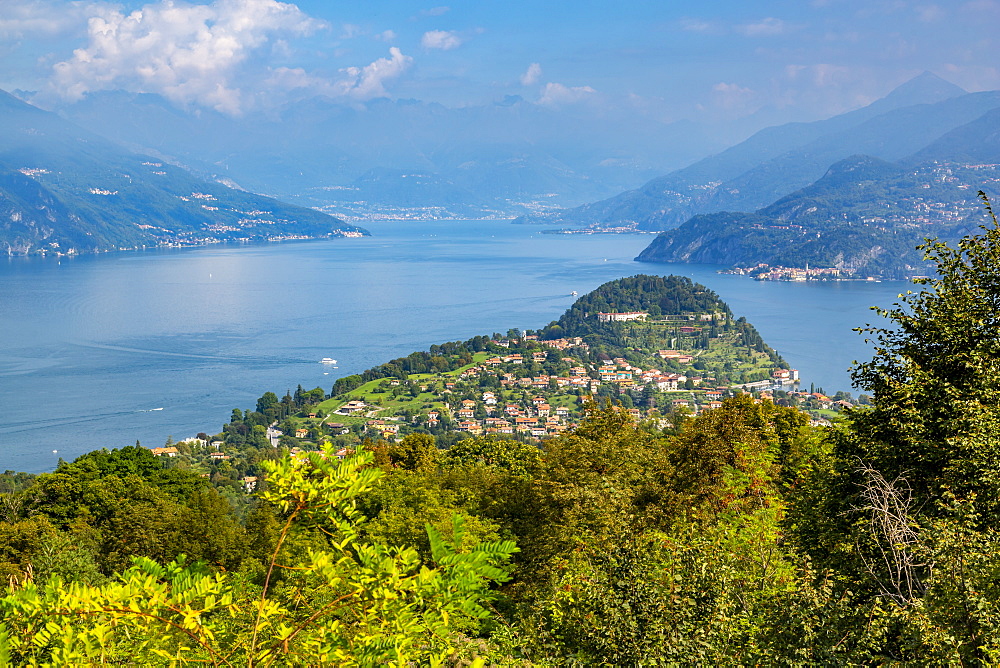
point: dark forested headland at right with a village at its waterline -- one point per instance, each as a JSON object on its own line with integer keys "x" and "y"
{"x": 865, "y": 217}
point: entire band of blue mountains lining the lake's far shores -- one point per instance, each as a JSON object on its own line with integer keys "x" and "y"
{"x": 167, "y": 175}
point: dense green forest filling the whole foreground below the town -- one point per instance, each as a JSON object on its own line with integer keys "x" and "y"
{"x": 744, "y": 535}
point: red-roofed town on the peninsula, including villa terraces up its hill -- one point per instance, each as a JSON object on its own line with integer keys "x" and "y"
{"x": 520, "y": 387}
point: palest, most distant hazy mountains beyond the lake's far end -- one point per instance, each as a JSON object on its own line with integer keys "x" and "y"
{"x": 398, "y": 157}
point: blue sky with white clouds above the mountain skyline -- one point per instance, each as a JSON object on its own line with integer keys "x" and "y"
{"x": 723, "y": 60}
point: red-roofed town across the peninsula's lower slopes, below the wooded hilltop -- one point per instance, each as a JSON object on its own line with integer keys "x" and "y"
{"x": 520, "y": 407}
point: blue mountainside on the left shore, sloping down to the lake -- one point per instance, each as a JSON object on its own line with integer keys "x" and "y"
{"x": 66, "y": 190}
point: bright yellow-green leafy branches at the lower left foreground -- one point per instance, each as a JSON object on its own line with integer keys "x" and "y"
{"x": 354, "y": 603}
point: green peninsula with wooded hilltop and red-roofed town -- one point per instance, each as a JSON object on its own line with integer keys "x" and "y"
{"x": 653, "y": 344}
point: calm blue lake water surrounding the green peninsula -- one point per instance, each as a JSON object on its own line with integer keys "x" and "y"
{"x": 101, "y": 351}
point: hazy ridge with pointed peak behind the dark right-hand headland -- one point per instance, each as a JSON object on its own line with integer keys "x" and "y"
{"x": 779, "y": 160}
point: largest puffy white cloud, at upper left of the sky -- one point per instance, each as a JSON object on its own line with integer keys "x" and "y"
{"x": 188, "y": 53}
